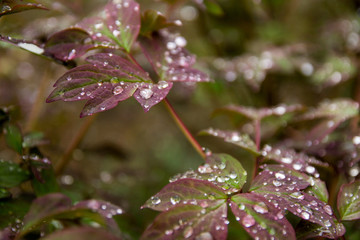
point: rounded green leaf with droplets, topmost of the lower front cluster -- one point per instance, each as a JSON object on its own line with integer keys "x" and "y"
{"x": 220, "y": 169}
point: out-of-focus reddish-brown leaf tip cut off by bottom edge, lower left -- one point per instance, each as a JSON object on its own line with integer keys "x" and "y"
{"x": 81, "y": 233}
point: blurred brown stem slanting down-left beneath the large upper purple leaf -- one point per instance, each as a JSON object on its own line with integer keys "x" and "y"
{"x": 60, "y": 166}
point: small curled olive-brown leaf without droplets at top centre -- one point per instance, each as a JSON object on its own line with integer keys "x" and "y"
{"x": 152, "y": 21}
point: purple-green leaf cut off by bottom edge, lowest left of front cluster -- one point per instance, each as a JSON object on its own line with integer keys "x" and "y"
{"x": 190, "y": 221}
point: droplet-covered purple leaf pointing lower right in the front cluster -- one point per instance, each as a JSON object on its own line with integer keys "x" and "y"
{"x": 283, "y": 190}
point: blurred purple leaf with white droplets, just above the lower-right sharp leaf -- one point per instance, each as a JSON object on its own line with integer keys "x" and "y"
{"x": 297, "y": 161}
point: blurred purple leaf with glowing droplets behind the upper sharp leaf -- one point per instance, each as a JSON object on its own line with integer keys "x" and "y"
{"x": 169, "y": 59}
